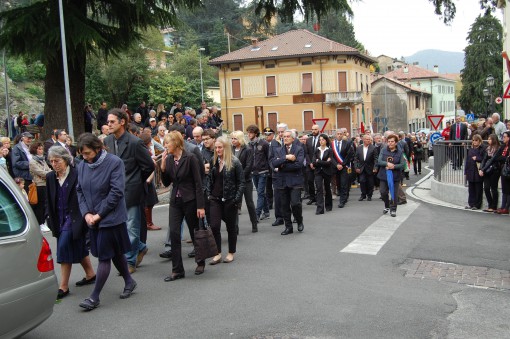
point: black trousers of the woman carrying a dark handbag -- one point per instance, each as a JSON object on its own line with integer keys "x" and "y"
{"x": 178, "y": 212}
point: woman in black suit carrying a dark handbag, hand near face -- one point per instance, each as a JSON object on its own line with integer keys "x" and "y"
{"x": 186, "y": 199}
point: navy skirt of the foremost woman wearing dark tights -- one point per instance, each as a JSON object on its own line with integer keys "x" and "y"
{"x": 107, "y": 242}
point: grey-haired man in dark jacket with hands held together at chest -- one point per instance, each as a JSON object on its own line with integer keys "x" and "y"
{"x": 287, "y": 164}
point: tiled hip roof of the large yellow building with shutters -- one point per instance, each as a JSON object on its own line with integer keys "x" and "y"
{"x": 295, "y": 43}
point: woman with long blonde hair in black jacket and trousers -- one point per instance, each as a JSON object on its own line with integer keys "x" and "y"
{"x": 225, "y": 189}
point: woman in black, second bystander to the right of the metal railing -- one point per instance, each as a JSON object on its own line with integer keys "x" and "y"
{"x": 490, "y": 173}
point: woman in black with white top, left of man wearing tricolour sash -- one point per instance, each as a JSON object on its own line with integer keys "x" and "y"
{"x": 323, "y": 172}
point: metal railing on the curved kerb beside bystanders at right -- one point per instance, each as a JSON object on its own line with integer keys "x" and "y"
{"x": 449, "y": 161}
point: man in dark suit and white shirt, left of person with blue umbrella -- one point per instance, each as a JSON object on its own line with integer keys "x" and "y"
{"x": 364, "y": 162}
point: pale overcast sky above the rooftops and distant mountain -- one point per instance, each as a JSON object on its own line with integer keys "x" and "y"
{"x": 399, "y": 28}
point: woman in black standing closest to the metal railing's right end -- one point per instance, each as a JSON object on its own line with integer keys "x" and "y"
{"x": 471, "y": 171}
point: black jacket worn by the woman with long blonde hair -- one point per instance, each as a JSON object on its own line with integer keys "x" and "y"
{"x": 233, "y": 181}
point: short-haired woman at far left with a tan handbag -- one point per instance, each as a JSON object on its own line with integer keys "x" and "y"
{"x": 38, "y": 170}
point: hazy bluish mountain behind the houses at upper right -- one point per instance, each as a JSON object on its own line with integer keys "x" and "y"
{"x": 448, "y": 62}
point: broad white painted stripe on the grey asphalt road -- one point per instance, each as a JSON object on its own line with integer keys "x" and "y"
{"x": 378, "y": 233}
